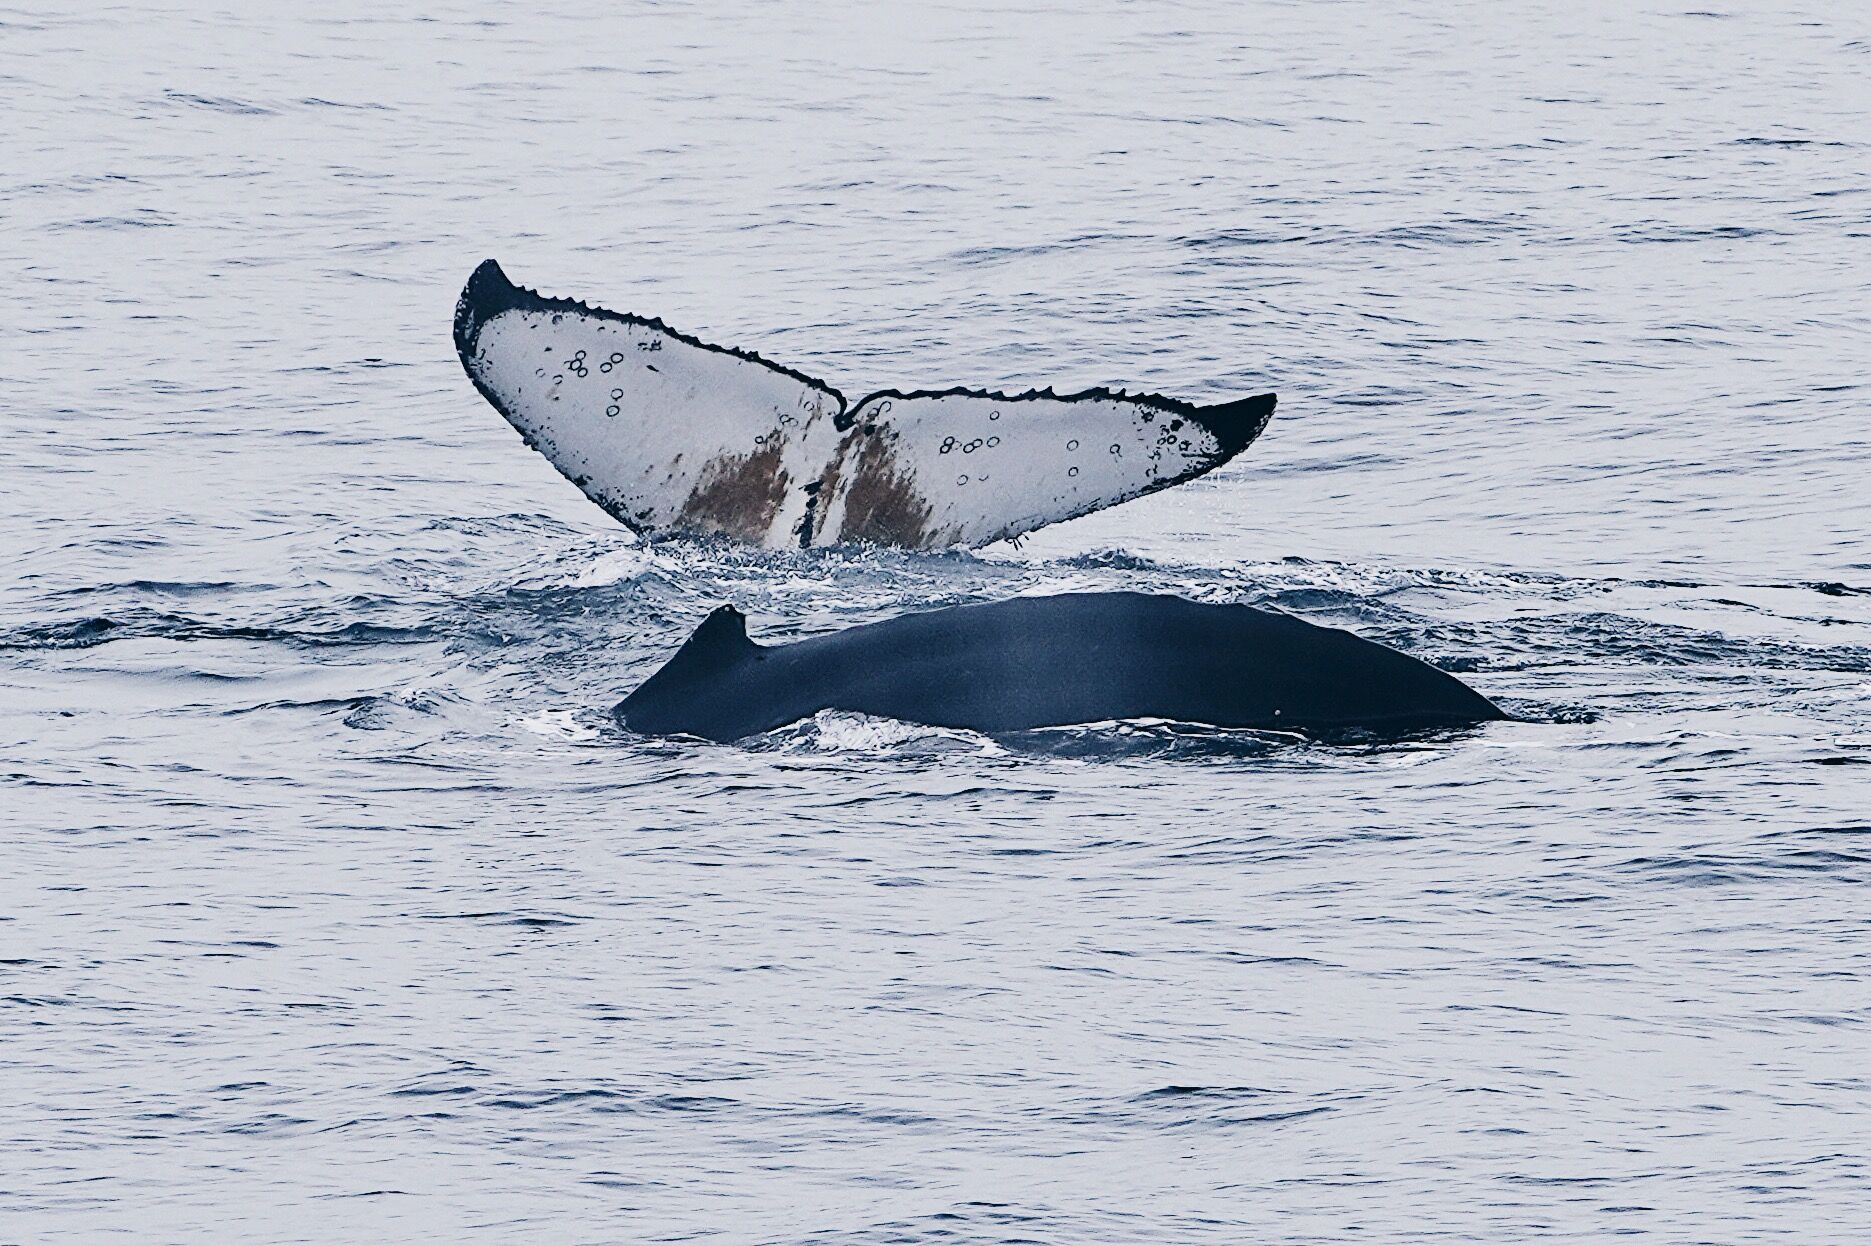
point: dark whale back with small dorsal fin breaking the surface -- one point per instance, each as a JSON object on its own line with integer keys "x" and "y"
{"x": 1054, "y": 661}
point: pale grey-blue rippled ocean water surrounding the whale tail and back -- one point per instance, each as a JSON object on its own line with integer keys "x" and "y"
{"x": 336, "y": 908}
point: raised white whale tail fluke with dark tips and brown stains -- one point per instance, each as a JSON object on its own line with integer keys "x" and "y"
{"x": 676, "y": 437}
